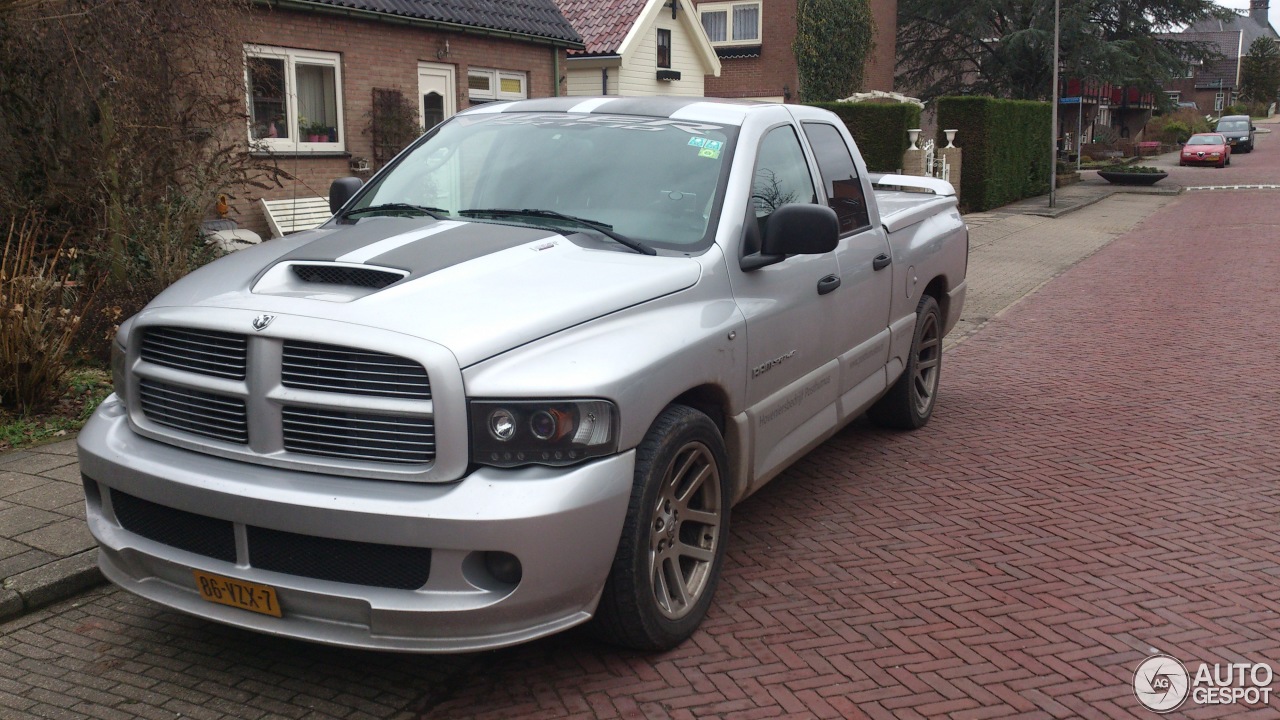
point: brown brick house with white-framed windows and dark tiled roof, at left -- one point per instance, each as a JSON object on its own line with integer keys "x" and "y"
{"x": 313, "y": 70}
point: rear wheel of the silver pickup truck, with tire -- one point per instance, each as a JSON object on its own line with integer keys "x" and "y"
{"x": 909, "y": 404}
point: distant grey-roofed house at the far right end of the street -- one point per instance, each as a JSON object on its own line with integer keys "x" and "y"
{"x": 1217, "y": 84}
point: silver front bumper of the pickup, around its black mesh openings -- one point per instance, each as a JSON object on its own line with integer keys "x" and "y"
{"x": 561, "y": 523}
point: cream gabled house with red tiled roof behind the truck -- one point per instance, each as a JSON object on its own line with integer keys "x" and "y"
{"x": 639, "y": 48}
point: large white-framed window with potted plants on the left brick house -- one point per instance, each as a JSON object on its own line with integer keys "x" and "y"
{"x": 295, "y": 99}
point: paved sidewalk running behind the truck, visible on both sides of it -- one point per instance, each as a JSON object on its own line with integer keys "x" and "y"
{"x": 47, "y": 553}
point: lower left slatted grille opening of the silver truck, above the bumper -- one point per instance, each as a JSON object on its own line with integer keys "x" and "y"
{"x": 186, "y": 409}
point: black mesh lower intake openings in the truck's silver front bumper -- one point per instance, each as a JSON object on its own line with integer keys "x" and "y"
{"x": 292, "y": 554}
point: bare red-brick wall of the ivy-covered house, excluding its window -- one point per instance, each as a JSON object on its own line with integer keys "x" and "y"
{"x": 775, "y": 70}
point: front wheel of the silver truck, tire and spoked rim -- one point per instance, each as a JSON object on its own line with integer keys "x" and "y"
{"x": 673, "y": 544}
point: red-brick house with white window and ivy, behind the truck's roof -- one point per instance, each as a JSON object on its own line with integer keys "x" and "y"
{"x": 753, "y": 40}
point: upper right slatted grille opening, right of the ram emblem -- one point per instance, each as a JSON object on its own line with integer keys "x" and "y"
{"x": 331, "y": 368}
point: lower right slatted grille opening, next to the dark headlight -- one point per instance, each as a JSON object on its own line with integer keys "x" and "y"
{"x": 358, "y": 436}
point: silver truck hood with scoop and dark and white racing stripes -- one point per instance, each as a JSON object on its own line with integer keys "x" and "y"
{"x": 477, "y": 289}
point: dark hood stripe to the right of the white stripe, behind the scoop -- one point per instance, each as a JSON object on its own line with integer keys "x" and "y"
{"x": 459, "y": 245}
